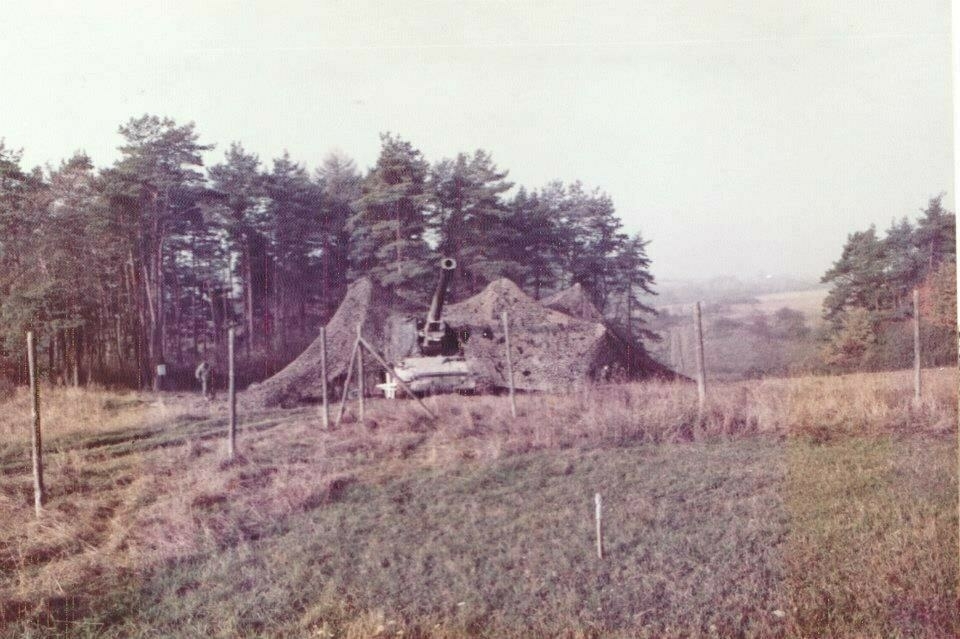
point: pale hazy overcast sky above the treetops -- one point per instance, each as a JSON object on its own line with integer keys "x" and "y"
{"x": 739, "y": 137}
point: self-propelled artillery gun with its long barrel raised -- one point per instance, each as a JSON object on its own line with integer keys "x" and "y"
{"x": 440, "y": 367}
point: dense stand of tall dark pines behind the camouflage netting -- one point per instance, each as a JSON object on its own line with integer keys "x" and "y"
{"x": 150, "y": 260}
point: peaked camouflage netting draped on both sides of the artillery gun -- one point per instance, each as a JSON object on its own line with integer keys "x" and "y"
{"x": 555, "y": 345}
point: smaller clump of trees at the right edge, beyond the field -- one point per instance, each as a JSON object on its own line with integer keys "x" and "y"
{"x": 871, "y": 296}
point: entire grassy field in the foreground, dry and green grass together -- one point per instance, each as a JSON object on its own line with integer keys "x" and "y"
{"x": 793, "y": 508}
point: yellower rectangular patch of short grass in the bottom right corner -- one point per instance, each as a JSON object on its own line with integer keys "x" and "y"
{"x": 873, "y": 543}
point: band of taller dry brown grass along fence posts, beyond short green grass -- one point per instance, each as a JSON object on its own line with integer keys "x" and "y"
{"x": 160, "y": 490}
